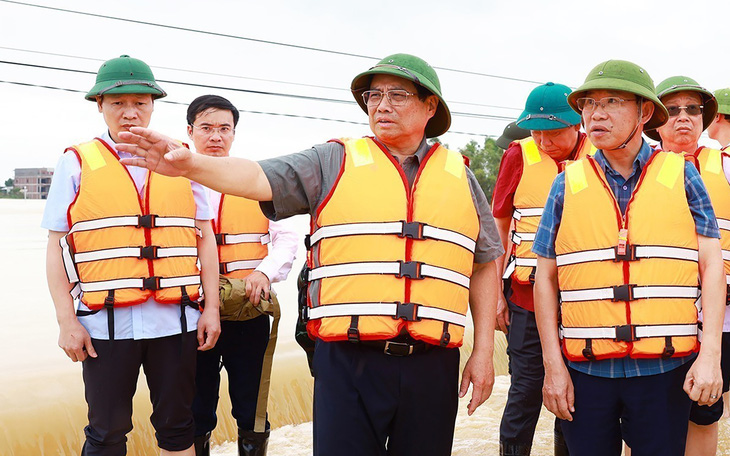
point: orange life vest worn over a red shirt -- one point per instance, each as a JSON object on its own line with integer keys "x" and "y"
{"x": 538, "y": 172}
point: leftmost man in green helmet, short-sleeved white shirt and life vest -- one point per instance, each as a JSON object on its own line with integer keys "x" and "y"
{"x": 104, "y": 222}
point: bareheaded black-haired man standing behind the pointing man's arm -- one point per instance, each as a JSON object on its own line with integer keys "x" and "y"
{"x": 250, "y": 247}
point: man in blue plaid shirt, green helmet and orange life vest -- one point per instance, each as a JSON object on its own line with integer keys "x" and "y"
{"x": 622, "y": 240}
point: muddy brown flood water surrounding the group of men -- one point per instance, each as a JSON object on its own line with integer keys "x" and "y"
{"x": 42, "y": 407}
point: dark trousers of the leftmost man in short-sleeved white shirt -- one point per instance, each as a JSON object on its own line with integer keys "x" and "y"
{"x": 110, "y": 381}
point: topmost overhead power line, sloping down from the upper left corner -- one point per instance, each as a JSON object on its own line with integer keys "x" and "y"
{"x": 255, "y": 40}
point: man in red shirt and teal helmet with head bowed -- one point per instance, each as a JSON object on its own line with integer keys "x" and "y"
{"x": 527, "y": 170}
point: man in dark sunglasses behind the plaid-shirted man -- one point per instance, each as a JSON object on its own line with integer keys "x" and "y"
{"x": 691, "y": 110}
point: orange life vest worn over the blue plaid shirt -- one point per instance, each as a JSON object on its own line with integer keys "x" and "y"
{"x": 628, "y": 284}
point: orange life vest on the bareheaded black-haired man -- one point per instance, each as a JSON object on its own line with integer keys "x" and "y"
{"x": 242, "y": 235}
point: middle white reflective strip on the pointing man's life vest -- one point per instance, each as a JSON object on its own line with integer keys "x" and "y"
{"x": 388, "y": 267}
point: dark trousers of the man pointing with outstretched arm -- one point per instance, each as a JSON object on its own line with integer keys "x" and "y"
{"x": 367, "y": 403}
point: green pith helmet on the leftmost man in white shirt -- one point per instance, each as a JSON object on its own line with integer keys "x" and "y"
{"x": 125, "y": 75}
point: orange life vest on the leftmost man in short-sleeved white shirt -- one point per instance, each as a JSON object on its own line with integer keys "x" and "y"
{"x": 123, "y": 249}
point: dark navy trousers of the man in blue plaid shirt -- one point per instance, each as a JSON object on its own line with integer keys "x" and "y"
{"x": 650, "y": 413}
